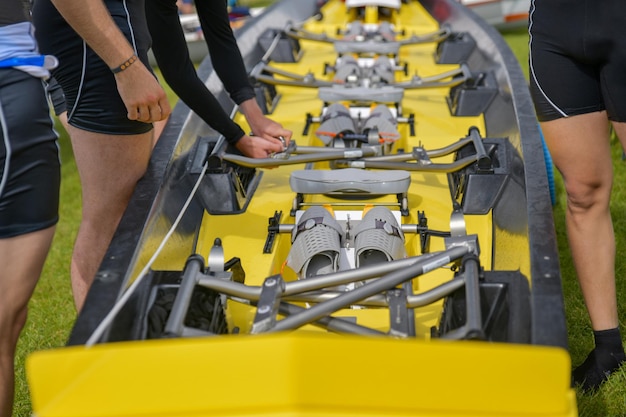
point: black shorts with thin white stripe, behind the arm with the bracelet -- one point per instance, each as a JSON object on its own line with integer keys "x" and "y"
{"x": 92, "y": 100}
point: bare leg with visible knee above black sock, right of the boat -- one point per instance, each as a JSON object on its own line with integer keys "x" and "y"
{"x": 580, "y": 149}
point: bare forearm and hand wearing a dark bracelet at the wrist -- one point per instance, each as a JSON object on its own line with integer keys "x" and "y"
{"x": 144, "y": 98}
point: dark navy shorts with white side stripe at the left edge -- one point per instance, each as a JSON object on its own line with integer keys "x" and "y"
{"x": 29, "y": 156}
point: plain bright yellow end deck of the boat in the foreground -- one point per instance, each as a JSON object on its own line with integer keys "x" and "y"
{"x": 296, "y": 374}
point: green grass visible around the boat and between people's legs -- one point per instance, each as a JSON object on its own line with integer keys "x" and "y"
{"x": 52, "y": 313}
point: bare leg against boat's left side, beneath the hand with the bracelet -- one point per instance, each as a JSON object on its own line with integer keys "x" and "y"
{"x": 109, "y": 167}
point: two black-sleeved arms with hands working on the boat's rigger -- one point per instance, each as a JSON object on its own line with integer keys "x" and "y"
{"x": 172, "y": 55}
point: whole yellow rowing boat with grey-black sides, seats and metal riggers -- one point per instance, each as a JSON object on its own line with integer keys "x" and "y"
{"x": 398, "y": 258}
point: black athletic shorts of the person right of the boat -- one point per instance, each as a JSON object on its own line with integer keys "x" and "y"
{"x": 578, "y": 58}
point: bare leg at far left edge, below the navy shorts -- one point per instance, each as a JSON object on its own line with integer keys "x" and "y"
{"x": 21, "y": 261}
